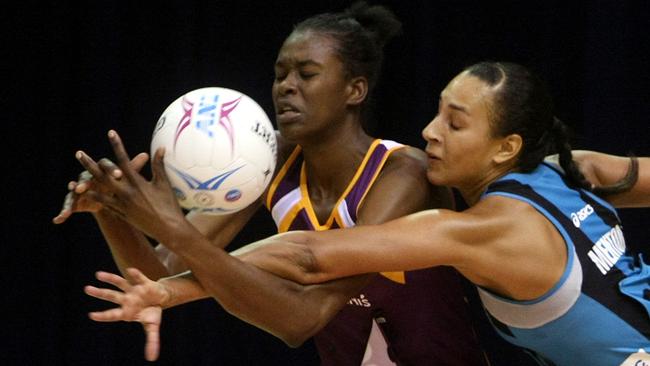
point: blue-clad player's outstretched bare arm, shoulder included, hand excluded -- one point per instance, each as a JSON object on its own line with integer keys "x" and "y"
{"x": 482, "y": 242}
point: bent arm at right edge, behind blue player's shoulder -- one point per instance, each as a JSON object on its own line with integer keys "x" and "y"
{"x": 604, "y": 170}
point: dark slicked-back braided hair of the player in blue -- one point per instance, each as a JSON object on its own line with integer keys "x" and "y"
{"x": 522, "y": 105}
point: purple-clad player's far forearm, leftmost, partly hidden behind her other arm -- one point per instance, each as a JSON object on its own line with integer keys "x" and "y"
{"x": 129, "y": 247}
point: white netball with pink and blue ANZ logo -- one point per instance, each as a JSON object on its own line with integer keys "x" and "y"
{"x": 220, "y": 149}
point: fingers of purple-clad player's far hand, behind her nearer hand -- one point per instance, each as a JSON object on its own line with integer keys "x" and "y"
{"x": 77, "y": 201}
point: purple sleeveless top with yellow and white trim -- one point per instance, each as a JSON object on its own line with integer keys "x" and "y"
{"x": 404, "y": 318}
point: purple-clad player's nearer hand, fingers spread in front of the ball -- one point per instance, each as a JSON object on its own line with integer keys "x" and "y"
{"x": 150, "y": 206}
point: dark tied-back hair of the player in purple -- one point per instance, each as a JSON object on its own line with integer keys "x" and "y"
{"x": 360, "y": 32}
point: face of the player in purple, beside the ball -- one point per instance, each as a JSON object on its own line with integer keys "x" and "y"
{"x": 309, "y": 87}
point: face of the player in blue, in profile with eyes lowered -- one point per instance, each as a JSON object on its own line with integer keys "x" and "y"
{"x": 459, "y": 143}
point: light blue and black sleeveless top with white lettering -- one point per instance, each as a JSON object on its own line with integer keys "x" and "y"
{"x": 597, "y": 313}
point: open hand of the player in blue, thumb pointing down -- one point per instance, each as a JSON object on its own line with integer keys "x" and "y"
{"x": 140, "y": 300}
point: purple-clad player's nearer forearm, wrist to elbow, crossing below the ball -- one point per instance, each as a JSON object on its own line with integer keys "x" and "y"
{"x": 280, "y": 307}
